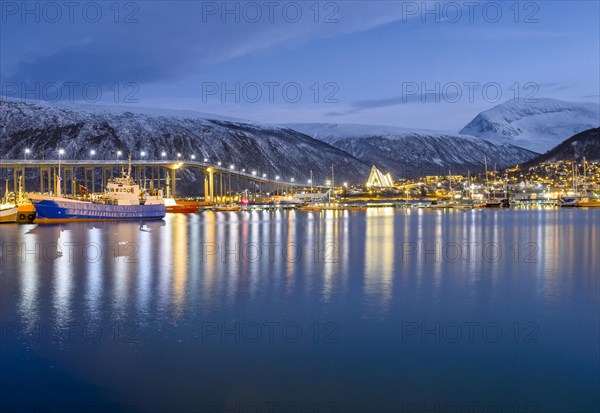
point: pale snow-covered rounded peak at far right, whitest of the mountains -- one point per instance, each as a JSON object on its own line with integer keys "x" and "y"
{"x": 536, "y": 126}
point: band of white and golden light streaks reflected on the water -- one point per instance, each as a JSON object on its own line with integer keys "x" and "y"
{"x": 202, "y": 264}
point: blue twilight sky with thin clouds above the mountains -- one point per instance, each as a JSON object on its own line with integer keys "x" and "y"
{"x": 412, "y": 64}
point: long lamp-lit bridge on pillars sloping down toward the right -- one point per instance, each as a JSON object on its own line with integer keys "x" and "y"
{"x": 218, "y": 185}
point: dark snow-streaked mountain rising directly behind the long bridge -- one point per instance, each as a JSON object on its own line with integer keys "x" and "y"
{"x": 267, "y": 149}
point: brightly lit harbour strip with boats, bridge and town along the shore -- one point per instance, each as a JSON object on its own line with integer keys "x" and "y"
{"x": 272, "y": 193}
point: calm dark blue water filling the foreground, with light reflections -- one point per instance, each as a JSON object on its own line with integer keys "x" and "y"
{"x": 383, "y": 310}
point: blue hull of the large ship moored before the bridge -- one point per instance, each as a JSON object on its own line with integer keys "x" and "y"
{"x": 64, "y": 211}
